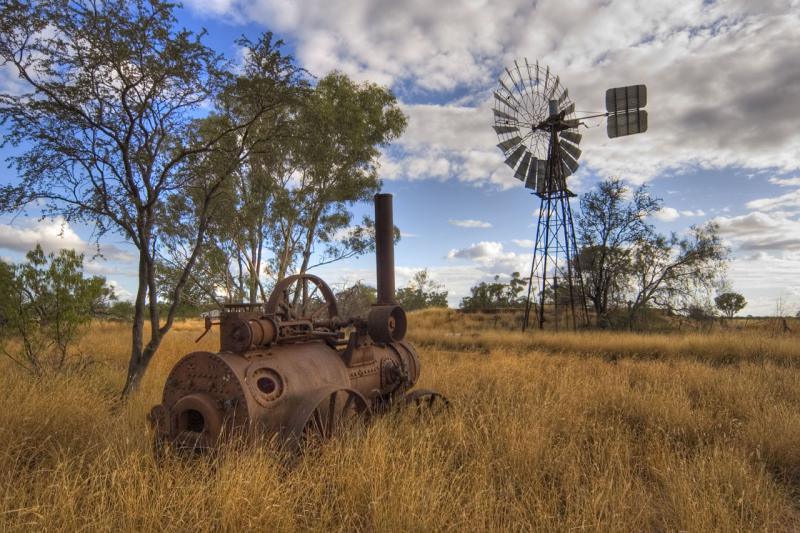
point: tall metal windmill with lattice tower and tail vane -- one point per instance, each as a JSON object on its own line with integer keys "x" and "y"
{"x": 538, "y": 128}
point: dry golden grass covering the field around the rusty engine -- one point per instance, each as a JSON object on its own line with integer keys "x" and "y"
{"x": 600, "y": 431}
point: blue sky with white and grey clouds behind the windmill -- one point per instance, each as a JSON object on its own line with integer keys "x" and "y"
{"x": 724, "y": 91}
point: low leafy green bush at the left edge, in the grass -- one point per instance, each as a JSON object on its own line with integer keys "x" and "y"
{"x": 46, "y": 305}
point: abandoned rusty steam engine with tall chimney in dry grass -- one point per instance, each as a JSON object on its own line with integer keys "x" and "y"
{"x": 285, "y": 369}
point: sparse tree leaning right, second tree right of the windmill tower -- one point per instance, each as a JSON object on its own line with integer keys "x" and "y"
{"x": 669, "y": 271}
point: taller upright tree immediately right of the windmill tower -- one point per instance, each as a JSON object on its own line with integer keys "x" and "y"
{"x": 612, "y": 221}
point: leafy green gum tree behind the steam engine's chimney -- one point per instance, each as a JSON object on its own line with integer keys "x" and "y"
{"x": 290, "y": 200}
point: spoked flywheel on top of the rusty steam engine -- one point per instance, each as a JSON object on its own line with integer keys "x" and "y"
{"x": 302, "y": 296}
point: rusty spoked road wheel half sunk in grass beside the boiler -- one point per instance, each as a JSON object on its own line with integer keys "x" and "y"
{"x": 336, "y": 411}
